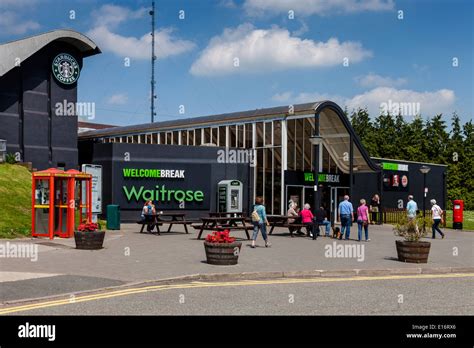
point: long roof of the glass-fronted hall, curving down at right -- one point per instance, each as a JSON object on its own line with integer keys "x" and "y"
{"x": 335, "y": 129}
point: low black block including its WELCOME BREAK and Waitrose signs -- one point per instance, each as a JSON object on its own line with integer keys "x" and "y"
{"x": 190, "y": 171}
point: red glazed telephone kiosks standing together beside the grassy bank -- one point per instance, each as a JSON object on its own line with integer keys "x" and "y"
{"x": 60, "y": 200}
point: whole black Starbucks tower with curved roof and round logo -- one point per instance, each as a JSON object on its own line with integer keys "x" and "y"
{"x": 38, "y": 91}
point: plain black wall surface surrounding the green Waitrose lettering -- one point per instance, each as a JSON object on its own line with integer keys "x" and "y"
{"x": 201, "y": 163}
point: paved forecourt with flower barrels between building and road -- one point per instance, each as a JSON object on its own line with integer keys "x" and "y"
{"x": 129, "y": 256}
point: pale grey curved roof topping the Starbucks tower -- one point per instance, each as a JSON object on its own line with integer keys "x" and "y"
{"x": 25, "y": 48}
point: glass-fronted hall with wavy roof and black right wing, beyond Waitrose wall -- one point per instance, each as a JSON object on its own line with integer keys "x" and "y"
{"x": 285, "y": 155}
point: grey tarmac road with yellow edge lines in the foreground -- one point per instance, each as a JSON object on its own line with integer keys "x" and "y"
{"x": 442, "y": 294}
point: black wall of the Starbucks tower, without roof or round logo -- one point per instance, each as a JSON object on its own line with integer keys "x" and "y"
{"x": 28, "y": 97}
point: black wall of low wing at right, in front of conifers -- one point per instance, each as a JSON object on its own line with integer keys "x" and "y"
{"x": 366, "y": 185}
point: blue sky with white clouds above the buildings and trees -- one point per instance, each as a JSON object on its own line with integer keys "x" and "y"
{"x": 234, "y": 55}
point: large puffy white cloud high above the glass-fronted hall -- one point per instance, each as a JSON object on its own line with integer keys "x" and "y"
{"x": 263, "y": 50}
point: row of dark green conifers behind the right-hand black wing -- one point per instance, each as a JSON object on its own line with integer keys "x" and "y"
{"x": 424, "y": 141}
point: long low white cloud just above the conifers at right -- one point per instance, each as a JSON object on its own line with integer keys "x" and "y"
{"x": 430, "y": 103}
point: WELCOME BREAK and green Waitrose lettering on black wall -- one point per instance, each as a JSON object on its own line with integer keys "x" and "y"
{"x": 163, "y": 186}
